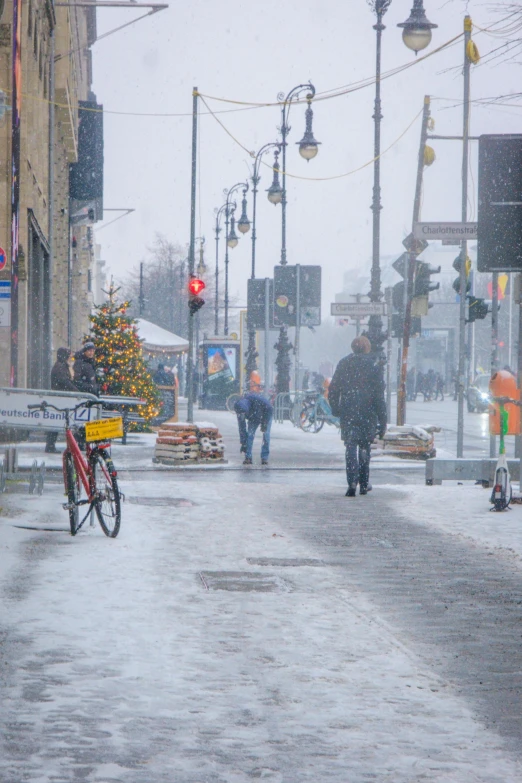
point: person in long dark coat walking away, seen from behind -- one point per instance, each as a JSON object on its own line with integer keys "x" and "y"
{"x": 356, "y": 396}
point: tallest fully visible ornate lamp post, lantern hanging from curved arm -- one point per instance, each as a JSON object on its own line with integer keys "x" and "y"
{"x": 308, "y": 149}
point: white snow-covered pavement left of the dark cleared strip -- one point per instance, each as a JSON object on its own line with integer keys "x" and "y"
{"x": 193, "y": 649}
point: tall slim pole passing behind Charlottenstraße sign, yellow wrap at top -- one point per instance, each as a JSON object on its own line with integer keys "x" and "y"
{"x": 464, "y": 244}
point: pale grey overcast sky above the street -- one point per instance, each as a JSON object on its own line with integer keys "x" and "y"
{"x": 250, "y": 52}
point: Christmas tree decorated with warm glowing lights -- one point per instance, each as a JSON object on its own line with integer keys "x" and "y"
{"x": 119, "y": 355}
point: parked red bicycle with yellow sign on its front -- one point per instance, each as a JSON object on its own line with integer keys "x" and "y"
{"x": 89, "y": 480}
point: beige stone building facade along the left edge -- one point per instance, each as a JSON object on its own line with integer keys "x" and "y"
{"x": 49, "y": 249}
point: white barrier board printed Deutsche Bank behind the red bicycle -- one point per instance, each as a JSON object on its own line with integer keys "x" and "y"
{"x": 14, "y": 410}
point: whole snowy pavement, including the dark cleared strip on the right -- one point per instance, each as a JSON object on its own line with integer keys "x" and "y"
{"x": 256, "y": 624}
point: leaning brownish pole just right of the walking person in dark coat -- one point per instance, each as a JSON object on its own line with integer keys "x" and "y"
{"x": 410, "y": 270}
